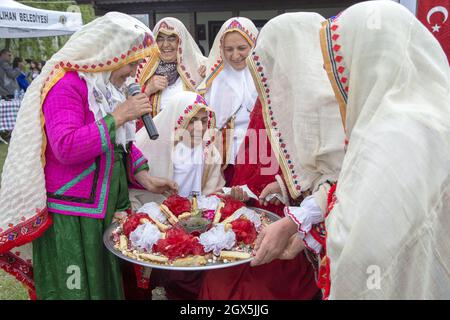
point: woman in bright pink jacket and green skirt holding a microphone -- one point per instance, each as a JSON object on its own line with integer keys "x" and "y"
{"x": 70, "y": 160}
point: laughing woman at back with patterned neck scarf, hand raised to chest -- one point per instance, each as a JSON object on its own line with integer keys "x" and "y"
{"x": 178, "y": 67}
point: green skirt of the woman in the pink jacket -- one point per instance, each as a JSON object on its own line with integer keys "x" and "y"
{"x": 70, "y": 260}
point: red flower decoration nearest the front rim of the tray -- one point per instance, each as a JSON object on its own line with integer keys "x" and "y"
{"x": 178, "y": 243}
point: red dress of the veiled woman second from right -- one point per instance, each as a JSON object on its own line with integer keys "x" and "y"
{"x": 252, "y": 283}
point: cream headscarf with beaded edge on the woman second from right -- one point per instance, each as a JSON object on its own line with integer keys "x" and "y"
{"x": 300, "y": 111}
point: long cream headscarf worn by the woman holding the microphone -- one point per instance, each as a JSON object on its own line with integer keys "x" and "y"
{"x": 101, "y": 46}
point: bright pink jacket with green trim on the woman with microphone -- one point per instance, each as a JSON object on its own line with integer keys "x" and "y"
{"x": 80, "y": 152}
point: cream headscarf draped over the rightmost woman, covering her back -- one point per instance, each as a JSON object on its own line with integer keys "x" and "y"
{"x": 388, "y": 234}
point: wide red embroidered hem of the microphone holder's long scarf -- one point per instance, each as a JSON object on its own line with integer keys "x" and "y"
{"x": 25, "y": 232}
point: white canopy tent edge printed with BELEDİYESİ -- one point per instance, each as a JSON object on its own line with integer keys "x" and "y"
{"x": 20, "y": 21}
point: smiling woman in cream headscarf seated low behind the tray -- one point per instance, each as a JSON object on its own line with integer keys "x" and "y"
{"x": 185, "y": 153}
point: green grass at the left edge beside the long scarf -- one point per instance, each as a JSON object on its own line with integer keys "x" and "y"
{"x": 10, "y": 288}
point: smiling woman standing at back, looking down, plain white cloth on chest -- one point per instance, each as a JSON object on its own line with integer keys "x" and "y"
{"x": 228, "y": 86}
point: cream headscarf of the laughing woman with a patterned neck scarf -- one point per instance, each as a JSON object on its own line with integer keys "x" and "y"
{"x": 189, "y": 57}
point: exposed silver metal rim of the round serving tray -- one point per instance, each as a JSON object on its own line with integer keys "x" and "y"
{"x": 109, "y": 243}
